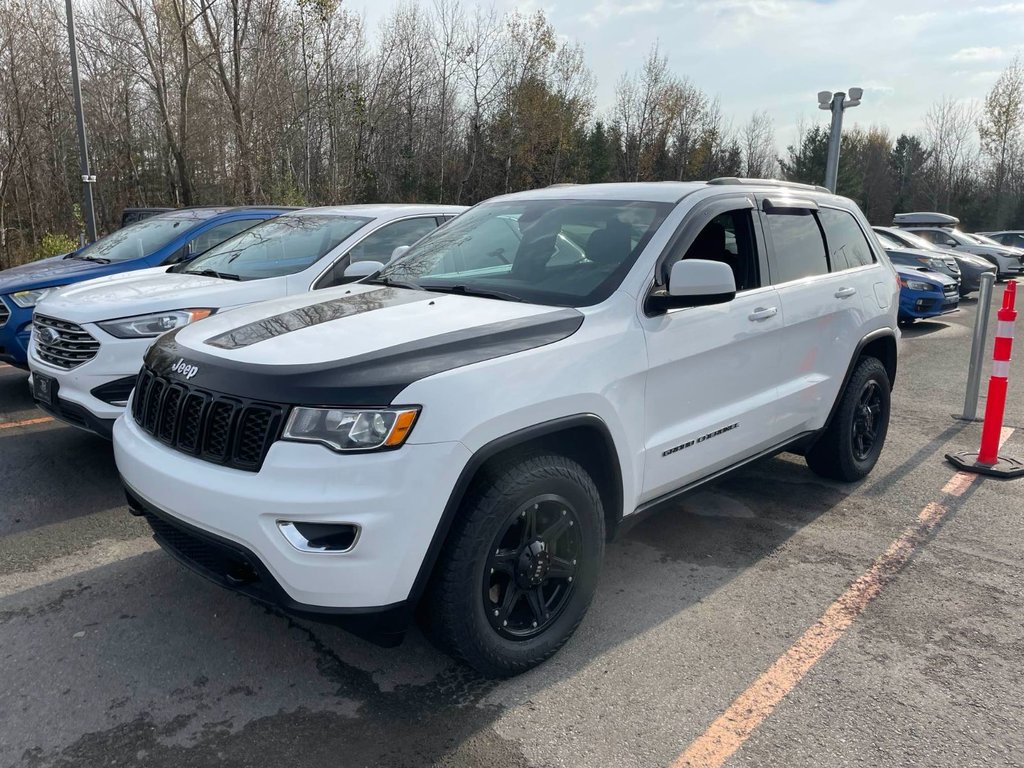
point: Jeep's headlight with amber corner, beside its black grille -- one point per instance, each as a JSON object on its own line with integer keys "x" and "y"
{"x": 352, "y": 430}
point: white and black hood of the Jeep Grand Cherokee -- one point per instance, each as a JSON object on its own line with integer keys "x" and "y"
{"x": 353, "y": 346}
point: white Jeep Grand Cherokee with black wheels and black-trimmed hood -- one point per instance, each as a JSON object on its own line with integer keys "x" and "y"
{"x": 464, "y": 432}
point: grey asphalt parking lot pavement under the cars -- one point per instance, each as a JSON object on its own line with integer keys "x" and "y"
{"x": 773, "y": 620}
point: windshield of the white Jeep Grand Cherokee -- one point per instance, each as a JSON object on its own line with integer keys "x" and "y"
{"x": 560, "y": 252}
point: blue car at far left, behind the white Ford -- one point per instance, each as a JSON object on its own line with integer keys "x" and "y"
{"x": 157, "y": 241}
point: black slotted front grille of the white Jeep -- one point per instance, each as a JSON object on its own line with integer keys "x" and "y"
{"x": 231, "y": 432}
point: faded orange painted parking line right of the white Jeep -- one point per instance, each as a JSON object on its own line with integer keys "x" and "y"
{"x": 736, "y": 726}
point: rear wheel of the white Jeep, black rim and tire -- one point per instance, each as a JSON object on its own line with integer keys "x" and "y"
{"x": 850, "y": 447}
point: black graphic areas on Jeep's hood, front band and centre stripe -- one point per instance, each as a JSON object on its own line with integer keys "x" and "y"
{"x": 374, "y": 378}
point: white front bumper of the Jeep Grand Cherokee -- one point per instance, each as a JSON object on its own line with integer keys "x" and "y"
{"x": 397, "y": 499}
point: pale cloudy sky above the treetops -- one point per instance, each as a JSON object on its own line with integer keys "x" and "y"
{"x": 777, "y": 55}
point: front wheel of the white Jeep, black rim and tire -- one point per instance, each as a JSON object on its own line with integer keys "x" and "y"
{"x": 521, "y": 566}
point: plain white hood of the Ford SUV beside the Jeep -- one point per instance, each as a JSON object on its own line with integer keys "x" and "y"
{"x": 153, "y": 291}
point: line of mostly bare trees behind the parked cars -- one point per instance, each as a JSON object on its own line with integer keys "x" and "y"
{"x": 293, "y": 102}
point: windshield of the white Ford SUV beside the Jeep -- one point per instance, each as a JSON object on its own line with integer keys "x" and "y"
{"x": 282, "y": 246}
